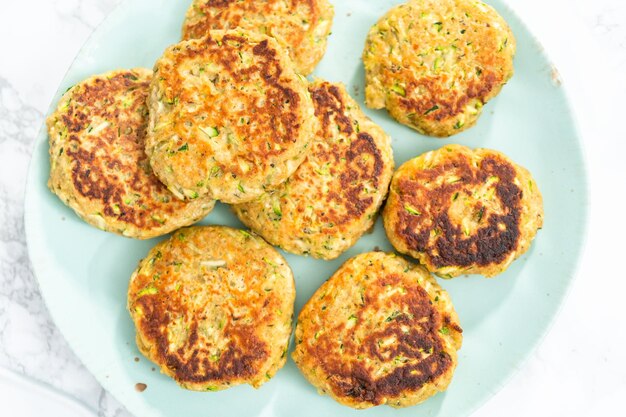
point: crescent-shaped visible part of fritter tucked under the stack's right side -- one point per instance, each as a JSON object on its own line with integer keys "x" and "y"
{"x": 334, "y": 196}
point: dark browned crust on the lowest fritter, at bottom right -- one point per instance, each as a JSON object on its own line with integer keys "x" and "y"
{"x": 354, "y": 380}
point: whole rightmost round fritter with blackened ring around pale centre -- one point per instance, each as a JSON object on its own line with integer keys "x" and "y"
{"x": 460, "y": 211}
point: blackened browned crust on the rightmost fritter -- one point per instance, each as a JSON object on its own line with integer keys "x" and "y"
{"x": 490, "y": 244}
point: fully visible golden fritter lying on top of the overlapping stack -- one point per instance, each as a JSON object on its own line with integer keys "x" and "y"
{"x": 228, "y": 117}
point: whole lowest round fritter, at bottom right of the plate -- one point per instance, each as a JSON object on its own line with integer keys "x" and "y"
{"x": 379, "y": 331}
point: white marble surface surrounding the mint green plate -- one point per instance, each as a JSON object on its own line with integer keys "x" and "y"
{"x": 579, "y": 369}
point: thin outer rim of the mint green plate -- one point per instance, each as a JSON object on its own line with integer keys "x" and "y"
{"x": 585, "y": 188}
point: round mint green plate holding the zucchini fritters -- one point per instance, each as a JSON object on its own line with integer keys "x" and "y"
{"x": 83, "y": 272}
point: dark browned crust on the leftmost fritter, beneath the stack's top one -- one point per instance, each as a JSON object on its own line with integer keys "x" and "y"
{"x": 95, "y": 173}
